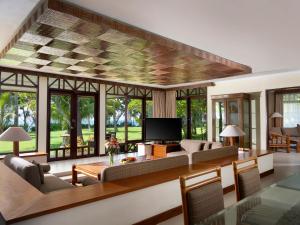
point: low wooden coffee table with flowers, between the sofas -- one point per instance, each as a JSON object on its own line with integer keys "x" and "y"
{"x": 94, "y": 169}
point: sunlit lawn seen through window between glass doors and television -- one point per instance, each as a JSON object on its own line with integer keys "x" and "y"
{"x": 134, "y": 133}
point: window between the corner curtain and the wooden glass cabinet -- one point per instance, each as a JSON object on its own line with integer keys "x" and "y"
{"x": 192, "y": 110}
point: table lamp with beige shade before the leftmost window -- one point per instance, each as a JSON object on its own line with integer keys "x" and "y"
{"x": 15, "y": 134}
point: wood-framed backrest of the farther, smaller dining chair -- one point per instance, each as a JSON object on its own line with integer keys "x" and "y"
{"x": 246, "y": 176}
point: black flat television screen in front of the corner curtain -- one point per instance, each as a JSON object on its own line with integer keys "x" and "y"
{"x": 163, "y": 129}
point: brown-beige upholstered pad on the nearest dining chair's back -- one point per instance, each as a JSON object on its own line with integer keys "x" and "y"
{"x": 204, "y": 202}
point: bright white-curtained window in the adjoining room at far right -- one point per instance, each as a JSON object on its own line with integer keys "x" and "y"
{"x": 291, "y": 109}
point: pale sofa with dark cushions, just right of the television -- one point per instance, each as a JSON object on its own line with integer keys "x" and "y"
{"x": 190, "y": 146}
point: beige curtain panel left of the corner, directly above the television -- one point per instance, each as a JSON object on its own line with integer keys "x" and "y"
{"x": 159, "y": 104}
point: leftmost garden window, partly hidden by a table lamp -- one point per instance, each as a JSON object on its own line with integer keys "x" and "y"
{"x": 18, "y": 109}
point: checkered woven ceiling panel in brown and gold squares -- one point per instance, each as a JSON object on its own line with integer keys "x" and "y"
{"x": 60, "y": 42}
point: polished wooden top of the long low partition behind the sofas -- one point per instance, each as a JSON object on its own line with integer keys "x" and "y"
{"x": 22, "y": 201}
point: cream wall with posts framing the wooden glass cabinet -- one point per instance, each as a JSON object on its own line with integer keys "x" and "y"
{"x": 248, "y": 85}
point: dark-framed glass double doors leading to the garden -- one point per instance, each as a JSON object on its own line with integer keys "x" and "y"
{"x": 72, "y": 125}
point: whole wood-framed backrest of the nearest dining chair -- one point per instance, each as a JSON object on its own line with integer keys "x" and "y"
{"x": 201, "y": 199}
